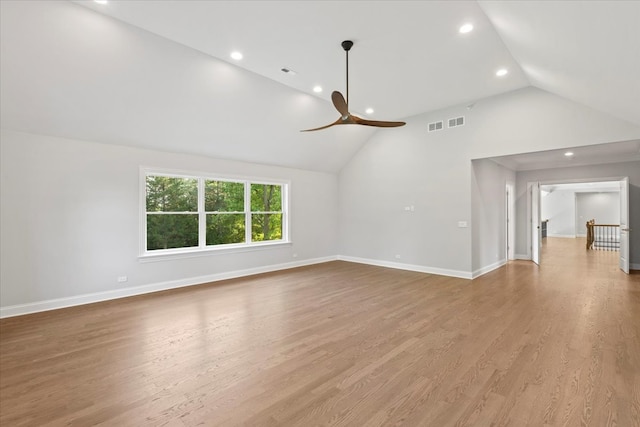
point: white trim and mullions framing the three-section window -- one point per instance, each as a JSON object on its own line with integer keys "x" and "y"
{"x": 203, "y": 250}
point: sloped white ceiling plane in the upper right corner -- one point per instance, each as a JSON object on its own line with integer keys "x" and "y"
{"x": 586, "y": 51}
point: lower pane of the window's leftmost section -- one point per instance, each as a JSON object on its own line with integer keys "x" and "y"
{"x": 172, "y": 231}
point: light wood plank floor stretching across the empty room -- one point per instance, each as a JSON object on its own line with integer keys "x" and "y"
{"x": 342, "y": 344}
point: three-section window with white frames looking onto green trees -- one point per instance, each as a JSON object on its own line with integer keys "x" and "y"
{"x": 188, "y": 213}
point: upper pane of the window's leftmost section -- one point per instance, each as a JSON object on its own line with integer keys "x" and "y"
{"x": 170, "y": 194}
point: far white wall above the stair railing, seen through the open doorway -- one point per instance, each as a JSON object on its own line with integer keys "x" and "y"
{"x": 604, "y": 207}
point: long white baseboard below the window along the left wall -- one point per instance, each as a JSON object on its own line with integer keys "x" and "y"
{"x": 54, "y": 304}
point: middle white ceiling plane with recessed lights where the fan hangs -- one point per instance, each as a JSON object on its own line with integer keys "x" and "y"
{"x": 408, "y": 56}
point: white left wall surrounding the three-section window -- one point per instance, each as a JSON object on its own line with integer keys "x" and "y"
{"x": 70, "y": 221}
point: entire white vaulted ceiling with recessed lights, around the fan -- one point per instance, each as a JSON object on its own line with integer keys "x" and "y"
{"x": 159, "y": 75}
